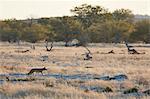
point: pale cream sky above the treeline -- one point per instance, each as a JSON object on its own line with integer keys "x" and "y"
{"x": 23, "y": 9}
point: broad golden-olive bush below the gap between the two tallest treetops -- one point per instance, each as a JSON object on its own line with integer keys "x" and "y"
{"x": 106, "y": 31}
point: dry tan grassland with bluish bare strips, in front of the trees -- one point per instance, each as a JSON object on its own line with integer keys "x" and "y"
{"x": 65, "y": 79}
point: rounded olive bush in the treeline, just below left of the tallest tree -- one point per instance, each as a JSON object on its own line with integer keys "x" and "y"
{"x": 66, "y": 28}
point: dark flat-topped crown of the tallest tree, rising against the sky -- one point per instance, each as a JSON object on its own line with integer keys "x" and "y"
{"x": 88, "y": 14}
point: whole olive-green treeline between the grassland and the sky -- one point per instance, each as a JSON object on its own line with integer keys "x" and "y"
{"x": 88, "y": 24}
